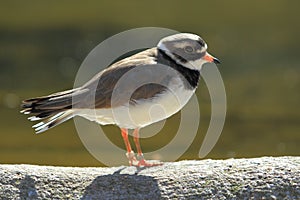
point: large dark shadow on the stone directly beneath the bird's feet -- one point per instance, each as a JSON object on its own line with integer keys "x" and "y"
{"x": 123, "y": 186}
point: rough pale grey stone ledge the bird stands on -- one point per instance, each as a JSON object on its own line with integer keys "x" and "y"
{"x": 256, "y": 178}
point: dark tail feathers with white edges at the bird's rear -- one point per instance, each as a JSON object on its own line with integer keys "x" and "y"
{"x": 52, "y": 110}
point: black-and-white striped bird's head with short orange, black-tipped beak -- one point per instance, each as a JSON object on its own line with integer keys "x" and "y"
{"x": 187, "y": 49}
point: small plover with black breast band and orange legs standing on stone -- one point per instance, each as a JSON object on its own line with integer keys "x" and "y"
{"x": 171, "y": 68}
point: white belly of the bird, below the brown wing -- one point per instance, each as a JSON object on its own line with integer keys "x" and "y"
{"x": 143, "y": 112}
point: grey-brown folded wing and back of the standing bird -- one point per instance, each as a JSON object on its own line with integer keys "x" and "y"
{"x": 125, "y": 81}
